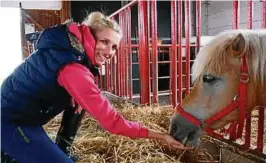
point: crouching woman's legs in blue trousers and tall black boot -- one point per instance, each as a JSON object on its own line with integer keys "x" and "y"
{"x": 30, "y": 144}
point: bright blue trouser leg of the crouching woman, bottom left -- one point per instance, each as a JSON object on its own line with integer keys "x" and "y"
{"x": 29, "y": 144}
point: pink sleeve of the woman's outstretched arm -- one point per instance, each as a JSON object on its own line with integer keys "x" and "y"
{"x": 79, "y": 83}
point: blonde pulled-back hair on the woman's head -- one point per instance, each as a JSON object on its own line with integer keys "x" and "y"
{"x": 97, "y": 22}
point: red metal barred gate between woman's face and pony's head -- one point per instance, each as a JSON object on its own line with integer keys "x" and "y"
{"x": 120, "y": 68}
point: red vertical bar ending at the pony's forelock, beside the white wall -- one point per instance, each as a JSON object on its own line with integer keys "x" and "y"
{"x": 198, "y": 23}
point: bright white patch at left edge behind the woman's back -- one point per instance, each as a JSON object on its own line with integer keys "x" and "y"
{"x": 10, "y": 41}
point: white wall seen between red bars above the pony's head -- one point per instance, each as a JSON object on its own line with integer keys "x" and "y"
{"x": 217, "y": 16}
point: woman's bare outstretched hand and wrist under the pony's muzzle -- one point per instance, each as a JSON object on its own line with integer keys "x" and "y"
{"x": 168, "y": 139}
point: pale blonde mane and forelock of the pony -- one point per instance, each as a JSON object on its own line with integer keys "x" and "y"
{"x": 213, "y": 55}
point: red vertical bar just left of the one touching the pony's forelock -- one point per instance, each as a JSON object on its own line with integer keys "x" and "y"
{"x": 187, "y": 6}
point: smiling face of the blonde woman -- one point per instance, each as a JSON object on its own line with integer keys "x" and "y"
{"x": 107, "y": 42}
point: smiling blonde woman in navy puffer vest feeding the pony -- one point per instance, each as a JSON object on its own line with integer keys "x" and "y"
{"x": 63, "y": 67}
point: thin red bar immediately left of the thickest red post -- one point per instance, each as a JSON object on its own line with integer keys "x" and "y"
{"x": 128, "y": 15}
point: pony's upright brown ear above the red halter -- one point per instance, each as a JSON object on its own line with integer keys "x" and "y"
{"x": 238, "y": 46}
